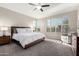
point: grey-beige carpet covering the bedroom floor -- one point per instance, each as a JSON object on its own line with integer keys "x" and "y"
{"x": 46, "y": 48}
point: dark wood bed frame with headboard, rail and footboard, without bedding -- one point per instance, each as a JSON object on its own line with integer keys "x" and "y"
{"x": 13, "y": 30}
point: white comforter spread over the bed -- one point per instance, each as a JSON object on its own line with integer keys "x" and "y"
{"x": 26, "y": 38}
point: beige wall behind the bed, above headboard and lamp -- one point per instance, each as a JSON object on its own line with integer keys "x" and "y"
{"x": 10, "y": 18}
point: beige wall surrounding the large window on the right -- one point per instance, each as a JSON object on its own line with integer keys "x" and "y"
{"x": 72, "y": 24}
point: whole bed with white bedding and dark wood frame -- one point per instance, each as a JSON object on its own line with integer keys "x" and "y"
{"x": 25, "y": 36}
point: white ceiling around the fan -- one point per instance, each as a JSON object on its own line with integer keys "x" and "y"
{"x": 26, "y": 9}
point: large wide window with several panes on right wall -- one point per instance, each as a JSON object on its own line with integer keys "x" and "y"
{"x": 57, "y": 25}
